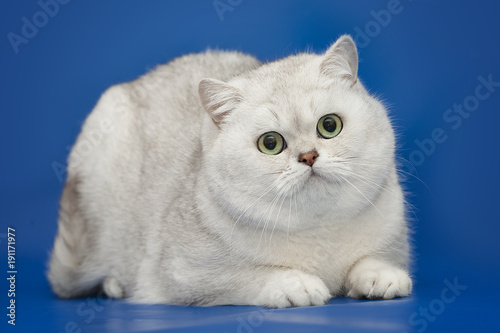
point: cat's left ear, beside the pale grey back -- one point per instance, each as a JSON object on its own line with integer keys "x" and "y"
{"x": 218, "y": 98}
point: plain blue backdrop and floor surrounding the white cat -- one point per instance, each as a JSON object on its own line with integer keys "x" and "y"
{"x": 427, "y": 58}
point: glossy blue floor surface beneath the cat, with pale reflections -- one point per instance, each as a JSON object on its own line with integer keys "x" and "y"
{"x": 467, "y": 306}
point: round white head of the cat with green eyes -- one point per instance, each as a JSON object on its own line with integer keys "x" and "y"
{"x": 296, "y": 142}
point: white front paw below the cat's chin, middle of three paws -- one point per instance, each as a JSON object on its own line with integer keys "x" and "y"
{"x": 293, "y": 288}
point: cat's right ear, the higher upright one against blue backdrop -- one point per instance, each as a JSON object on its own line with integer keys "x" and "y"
{"x": 341, "y": 60}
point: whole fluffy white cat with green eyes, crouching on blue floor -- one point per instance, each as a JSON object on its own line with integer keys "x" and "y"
{"x": 269, "y": 184}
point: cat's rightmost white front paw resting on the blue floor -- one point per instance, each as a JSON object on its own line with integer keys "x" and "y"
{"x": 384, "y": 282}
